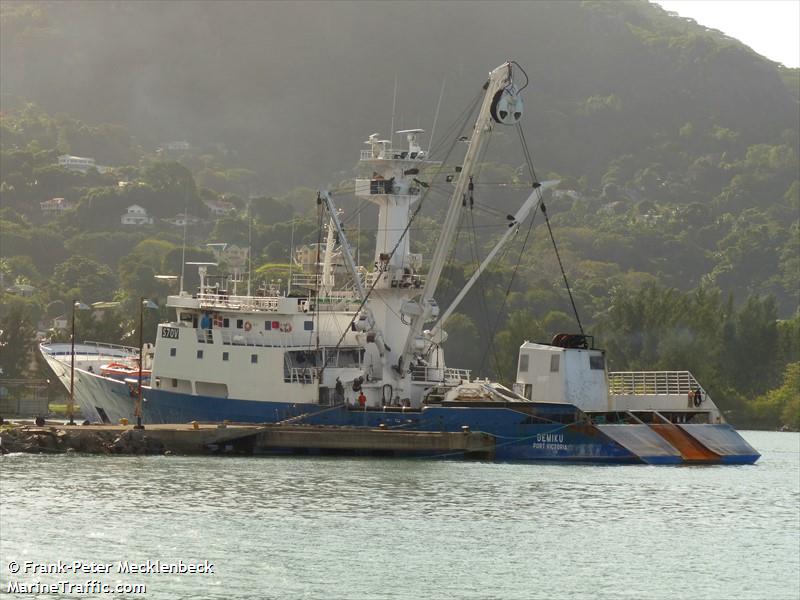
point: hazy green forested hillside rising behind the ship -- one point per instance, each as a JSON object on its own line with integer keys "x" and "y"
{"x": 677, "y": 149}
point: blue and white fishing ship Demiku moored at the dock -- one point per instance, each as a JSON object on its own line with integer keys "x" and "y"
{"x": 348, "y": 345}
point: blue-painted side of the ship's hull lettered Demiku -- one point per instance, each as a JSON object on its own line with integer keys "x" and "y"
{"x": 519, "y": 436}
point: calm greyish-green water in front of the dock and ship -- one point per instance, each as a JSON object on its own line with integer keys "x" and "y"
{"x": 366, "y": 528}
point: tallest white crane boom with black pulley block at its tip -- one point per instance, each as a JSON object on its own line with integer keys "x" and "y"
{"x": 500, "y": 104}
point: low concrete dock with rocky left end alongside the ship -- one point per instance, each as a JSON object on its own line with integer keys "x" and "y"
{"x": 247, "y": 439}
